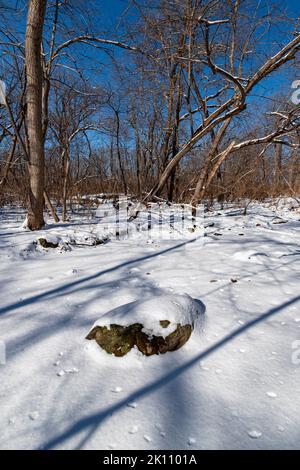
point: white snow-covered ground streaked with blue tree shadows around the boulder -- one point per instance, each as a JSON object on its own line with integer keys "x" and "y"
{"x": 235, "y": 384}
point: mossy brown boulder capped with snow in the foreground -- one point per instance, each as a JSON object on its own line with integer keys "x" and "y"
{"x": 154, "y": 326}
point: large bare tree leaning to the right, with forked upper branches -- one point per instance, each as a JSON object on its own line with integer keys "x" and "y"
{"x": 242, "y": 85}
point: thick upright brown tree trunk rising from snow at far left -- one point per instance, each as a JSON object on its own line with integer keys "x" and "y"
{"x": 34, "y": 76}
